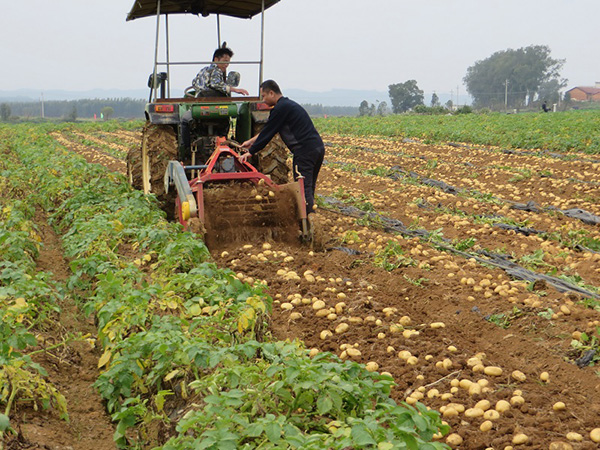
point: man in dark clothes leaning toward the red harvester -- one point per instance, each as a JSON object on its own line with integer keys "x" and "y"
{"x": 297, "y": 131}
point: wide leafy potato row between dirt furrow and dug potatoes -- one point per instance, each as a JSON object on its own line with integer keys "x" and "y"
{"x": 187, "y": 360}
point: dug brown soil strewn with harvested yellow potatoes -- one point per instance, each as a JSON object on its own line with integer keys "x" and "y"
{"x": 461, "y": 337}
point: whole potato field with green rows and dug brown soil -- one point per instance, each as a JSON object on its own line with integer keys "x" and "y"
{"x": 457, "y": 277}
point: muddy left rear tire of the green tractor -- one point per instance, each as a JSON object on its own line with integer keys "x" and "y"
{"x": 146, "y": 166}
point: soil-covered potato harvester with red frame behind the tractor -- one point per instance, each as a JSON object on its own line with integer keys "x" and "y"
{"x": 227, "y": 199}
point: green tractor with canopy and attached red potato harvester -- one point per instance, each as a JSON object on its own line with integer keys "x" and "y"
{"x": 213, "y": 126}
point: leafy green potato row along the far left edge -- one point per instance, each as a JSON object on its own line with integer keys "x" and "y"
{"x": 28, "y": 305}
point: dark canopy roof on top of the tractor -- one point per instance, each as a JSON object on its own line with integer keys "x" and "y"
{"x": 244, "y": 9}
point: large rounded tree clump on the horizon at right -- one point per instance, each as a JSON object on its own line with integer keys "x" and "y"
{"x": 512, "y": 75}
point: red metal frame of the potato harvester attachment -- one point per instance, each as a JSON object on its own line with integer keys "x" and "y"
{"x": 246, "y": 171}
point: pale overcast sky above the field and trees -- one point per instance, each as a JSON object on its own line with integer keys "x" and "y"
{"x": 314, "y": 45}
